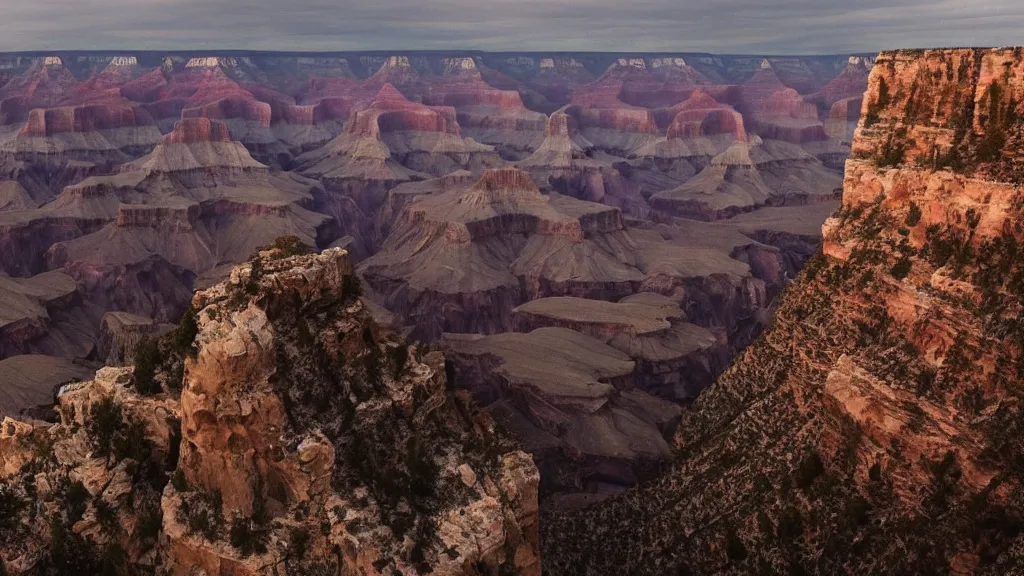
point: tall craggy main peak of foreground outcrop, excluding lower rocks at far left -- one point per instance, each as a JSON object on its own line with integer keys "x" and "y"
{"x": 259, "y": 430}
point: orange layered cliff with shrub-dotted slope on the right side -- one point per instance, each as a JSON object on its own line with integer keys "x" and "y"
{"x": 874, "y": 429}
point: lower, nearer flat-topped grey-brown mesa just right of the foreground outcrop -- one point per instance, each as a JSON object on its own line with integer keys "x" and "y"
{"x": 572, "y": 402}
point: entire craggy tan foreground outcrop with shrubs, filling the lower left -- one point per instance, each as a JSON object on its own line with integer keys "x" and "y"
{"x": 306, "y": 439}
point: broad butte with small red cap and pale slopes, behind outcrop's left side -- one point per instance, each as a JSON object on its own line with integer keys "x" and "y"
{"x": 139, "y": 240}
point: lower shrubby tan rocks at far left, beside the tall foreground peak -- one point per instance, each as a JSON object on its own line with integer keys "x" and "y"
{"x": 95, "y": 477}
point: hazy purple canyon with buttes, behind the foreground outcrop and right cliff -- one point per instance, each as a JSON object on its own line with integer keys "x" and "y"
{"x": 466, "y": 188}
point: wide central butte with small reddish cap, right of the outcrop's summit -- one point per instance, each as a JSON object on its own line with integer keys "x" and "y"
{"x": 436, "y": 259}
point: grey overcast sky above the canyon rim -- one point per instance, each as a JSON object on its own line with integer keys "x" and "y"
{"x": 781, "y": 27}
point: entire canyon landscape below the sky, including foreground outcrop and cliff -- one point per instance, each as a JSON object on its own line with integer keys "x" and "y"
{"x": 496, "y": 314}
